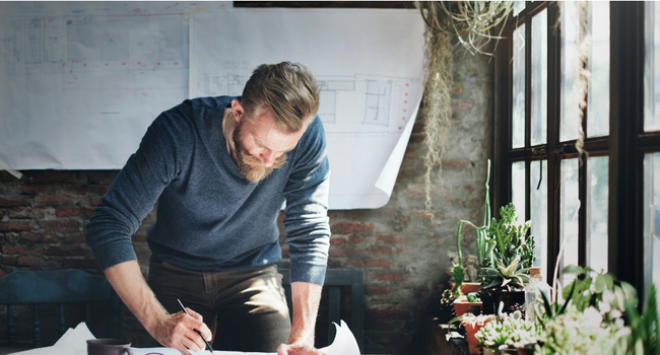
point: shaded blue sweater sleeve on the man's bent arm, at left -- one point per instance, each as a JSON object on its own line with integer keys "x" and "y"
{"x": 165, "y": 148}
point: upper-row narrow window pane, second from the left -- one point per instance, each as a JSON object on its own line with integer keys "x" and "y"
{"x": 539, "y": 77}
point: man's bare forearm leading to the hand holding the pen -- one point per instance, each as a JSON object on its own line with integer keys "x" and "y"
{"x": 126, "y": 278}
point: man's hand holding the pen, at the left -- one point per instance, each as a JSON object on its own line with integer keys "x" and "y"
{"x": 176, "y": 331}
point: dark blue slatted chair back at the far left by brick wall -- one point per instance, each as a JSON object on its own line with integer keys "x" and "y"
{"x": 59, "y": 287}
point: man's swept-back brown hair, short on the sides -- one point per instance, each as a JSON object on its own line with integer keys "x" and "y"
{"x": 288, "y": 89}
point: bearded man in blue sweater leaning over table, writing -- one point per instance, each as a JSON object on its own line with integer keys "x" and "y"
{"x": 221, "y": 169}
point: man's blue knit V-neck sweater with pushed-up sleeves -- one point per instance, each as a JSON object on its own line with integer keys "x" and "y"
{"x": 210, "y": 217}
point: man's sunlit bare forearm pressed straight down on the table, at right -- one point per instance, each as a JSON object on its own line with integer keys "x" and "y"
{"x": 305, "y": 298}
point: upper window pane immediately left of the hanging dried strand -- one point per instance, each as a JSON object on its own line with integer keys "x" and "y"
{"x": 568, "y": 126}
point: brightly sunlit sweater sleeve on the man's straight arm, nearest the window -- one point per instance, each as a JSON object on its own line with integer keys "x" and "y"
{"x": 306, "y": 222}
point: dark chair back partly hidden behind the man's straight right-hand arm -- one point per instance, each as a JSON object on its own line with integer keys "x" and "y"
{"x": 334, "y": 279}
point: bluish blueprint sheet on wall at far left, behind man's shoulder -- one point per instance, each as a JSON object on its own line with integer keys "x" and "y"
{"x": 81, "y": 81}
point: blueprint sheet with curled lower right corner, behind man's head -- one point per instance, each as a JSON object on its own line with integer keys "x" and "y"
{"x": 368, "y": 64}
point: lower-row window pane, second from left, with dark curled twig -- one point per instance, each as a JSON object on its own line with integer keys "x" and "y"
{"x": 539, "y": 210}
